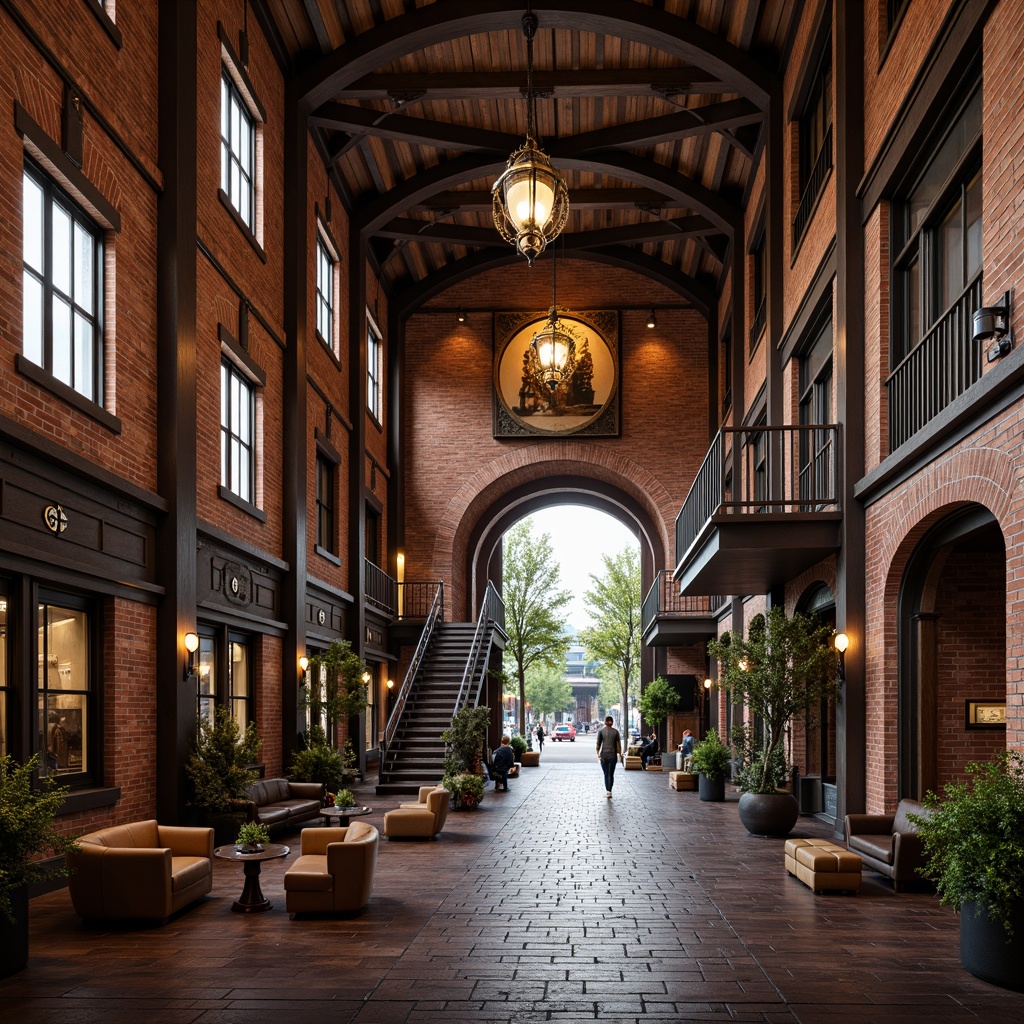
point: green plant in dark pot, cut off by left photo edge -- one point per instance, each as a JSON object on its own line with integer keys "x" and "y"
{"x": 27, "y": 831}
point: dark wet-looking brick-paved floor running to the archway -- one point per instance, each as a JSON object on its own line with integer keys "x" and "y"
{"x": 549, "y": 904}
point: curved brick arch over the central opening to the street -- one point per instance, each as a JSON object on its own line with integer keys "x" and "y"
{"x": 543, "y": 464}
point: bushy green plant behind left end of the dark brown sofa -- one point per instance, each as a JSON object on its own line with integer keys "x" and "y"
{"x": 222, "y": 767}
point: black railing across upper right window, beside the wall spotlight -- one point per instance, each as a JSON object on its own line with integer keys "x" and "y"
{"x": 946, "y": 364}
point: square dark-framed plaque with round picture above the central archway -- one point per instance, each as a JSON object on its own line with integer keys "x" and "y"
{"x": 557, "y": 388}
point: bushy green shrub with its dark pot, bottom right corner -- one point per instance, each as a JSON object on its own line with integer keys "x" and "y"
{"x": 974, "y": 839}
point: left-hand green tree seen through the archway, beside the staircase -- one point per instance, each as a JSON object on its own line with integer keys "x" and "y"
{"x": 534, "y": 607}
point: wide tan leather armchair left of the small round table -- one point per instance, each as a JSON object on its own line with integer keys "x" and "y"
{"x": 141, "y": 871}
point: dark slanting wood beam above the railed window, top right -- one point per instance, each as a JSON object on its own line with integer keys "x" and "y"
{"x": 957, "y": 47}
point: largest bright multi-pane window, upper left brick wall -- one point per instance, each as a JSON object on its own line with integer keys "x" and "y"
{"x": 63, "y": 287}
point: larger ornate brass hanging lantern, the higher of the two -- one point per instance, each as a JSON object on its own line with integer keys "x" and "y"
{"x": 530, "y": 201}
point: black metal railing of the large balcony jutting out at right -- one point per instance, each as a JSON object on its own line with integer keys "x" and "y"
{"x": 774, "y": 470}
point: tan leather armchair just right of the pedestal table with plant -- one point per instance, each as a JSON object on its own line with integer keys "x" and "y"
{"x": 334, "y": 872}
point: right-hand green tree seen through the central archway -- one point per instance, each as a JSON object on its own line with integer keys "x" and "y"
{"x": 615, "y": 607}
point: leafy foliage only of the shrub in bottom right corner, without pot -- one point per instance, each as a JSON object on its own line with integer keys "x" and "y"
{"x": 974, "y": 838}
